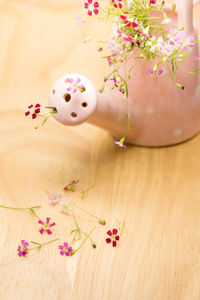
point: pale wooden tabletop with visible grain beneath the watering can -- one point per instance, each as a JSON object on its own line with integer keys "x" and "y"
{"x": 156, "y": 191}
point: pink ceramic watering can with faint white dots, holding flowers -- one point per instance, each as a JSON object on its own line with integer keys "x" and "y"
{"x": 162, "y": 113}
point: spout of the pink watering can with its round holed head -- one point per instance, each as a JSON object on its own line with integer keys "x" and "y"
{"x": 77, "y": 101}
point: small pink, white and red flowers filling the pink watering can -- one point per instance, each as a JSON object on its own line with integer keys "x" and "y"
{"x": 142, "y": 32}
